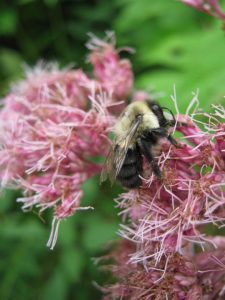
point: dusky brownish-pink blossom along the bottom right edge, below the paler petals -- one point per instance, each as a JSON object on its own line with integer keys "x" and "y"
{"x": 176, "y": 277}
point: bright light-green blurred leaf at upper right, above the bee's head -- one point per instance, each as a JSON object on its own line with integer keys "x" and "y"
{"x": 192, "y": 67}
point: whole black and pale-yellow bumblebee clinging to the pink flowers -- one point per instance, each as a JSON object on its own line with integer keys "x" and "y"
{"x": 139, "y": 128}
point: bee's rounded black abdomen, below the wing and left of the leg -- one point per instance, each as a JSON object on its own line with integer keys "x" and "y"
{"x": 131, "y": 169}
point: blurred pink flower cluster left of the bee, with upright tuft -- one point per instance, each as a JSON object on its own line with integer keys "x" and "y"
{"x": 54, "y": 123}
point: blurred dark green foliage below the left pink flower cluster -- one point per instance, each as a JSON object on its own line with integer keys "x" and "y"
{"x": 29, "y": 270}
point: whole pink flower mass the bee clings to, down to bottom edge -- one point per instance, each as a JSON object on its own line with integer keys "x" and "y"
{"x": 166, "y": 253}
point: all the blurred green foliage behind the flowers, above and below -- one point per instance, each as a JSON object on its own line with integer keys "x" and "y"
{"x": 174, "y": 45}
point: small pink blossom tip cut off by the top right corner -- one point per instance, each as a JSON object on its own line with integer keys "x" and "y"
{"x": 210, "y": 7}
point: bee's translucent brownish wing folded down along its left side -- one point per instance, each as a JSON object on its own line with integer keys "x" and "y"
{"x": 117, "y": 154}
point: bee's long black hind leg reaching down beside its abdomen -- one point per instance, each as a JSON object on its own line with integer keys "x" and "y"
{"x": 145, "y": 149}
